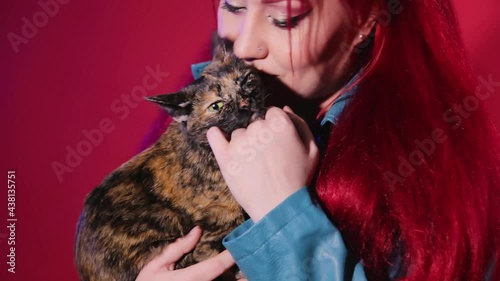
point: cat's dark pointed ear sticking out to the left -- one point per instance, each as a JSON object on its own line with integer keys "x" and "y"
{"x": 178, "y": 105}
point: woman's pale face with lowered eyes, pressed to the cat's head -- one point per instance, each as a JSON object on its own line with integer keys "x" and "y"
{"x": 310, "y": 58}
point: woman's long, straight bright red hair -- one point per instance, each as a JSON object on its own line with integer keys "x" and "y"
{"x": 406, "y": 172}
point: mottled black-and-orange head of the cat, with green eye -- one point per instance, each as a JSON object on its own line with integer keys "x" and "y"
{"x": 228, "y": 95}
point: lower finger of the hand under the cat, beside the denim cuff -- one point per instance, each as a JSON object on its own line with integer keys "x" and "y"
{"x": 209, "y": 269}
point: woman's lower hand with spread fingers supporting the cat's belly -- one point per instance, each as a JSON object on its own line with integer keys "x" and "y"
{"x": 161, "y": 268}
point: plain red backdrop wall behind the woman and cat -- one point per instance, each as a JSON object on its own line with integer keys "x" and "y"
{"x": 65, "y": 79}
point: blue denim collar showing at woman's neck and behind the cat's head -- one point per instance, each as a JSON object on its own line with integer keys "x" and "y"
{"x": 331, "y": 116}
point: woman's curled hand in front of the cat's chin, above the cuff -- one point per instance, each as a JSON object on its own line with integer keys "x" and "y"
{"x": 266, "y": 162}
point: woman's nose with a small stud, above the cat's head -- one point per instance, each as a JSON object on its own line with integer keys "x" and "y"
{"x": 250, "y": 43}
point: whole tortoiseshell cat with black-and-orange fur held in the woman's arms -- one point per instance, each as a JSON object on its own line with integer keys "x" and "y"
{"x": 163, "y": 192}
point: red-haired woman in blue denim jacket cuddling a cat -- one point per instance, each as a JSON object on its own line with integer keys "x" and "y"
{"x": 409, "y": 171}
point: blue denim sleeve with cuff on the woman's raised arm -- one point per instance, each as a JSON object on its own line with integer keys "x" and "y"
{"x": 295, "y": 241}
